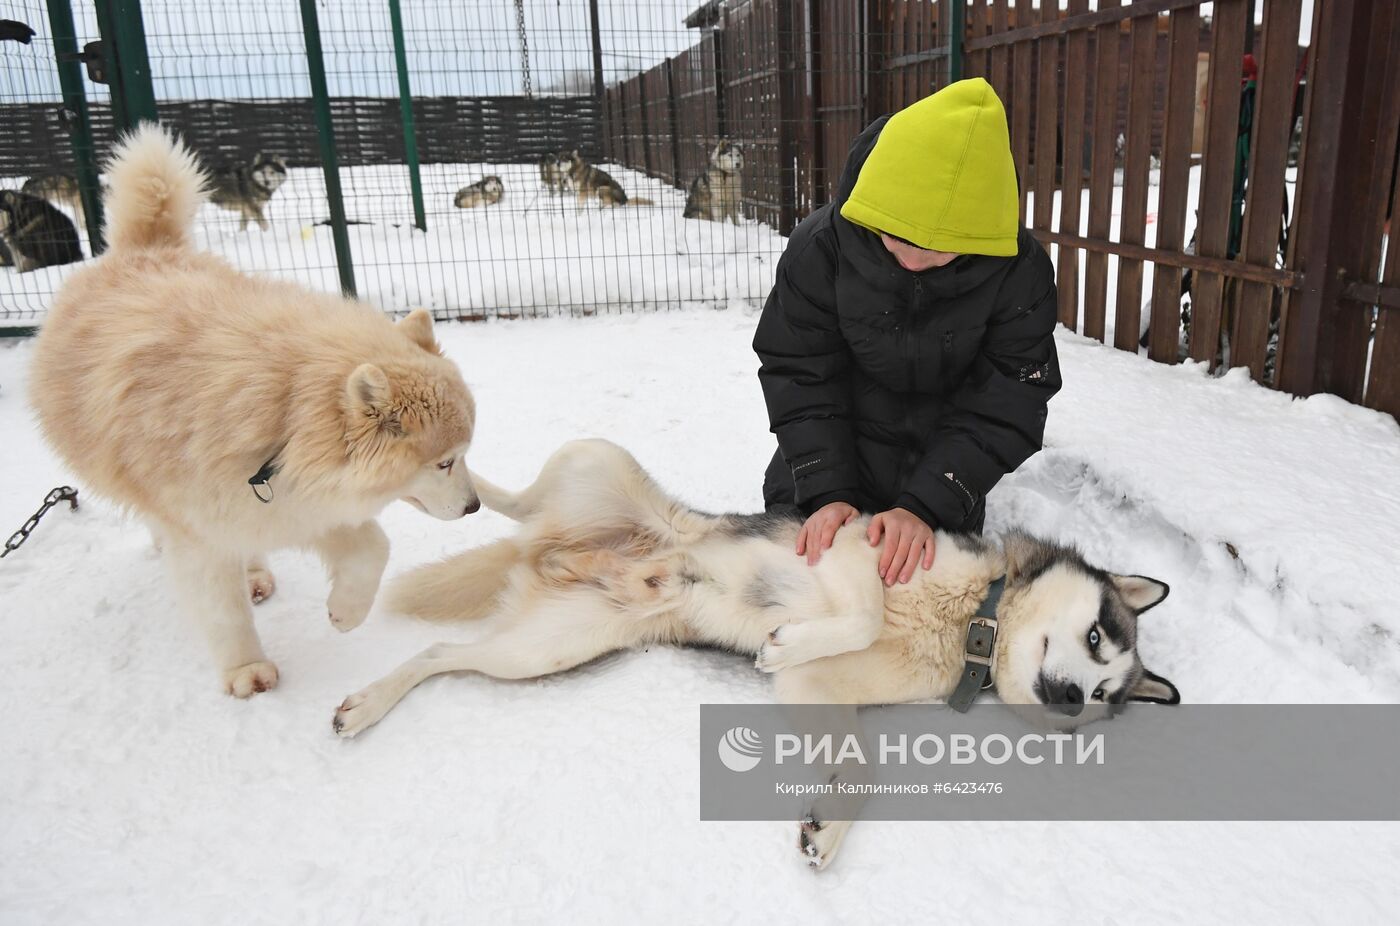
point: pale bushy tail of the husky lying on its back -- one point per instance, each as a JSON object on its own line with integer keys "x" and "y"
{"x": 463, "y": 588}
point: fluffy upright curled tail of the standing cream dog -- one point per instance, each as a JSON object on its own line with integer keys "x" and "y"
{"x": 156, "y": 187}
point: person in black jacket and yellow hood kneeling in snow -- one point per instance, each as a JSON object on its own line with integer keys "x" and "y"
{"x": 908, "y": 351}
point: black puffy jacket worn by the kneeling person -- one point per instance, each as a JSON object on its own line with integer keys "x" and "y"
{"x": 890, "y": 389}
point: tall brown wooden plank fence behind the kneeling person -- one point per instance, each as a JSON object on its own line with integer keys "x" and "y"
{"x": 1289, "y": 286}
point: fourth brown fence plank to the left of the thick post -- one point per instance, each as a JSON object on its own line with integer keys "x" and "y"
{"x": 1136, "y": 166}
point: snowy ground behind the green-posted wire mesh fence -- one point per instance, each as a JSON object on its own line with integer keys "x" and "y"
{"x": 533, "y": 253}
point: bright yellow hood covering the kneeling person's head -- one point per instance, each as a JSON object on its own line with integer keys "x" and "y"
{"x": 939, "y": 174}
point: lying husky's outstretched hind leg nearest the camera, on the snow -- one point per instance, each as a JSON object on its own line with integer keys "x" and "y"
{"x": 552, "y": 637}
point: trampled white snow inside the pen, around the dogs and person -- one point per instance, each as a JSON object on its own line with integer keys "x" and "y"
{"x": 134, "y": 791}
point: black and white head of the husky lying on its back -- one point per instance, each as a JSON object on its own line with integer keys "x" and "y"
{"x": 1069, "y": 634}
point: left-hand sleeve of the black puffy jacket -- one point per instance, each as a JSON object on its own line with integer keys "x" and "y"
{"x": 806, "y": 376}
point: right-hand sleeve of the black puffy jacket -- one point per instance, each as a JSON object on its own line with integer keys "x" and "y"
{"x": 997, "y": 417}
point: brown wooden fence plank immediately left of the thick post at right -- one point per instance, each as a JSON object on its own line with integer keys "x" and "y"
{"x": 1265, "y": 195}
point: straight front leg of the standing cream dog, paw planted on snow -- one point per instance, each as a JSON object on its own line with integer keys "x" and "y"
{"x": 213, "y": 588}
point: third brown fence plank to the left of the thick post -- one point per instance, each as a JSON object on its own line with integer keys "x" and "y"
{"x": 1175, "y": 183}
